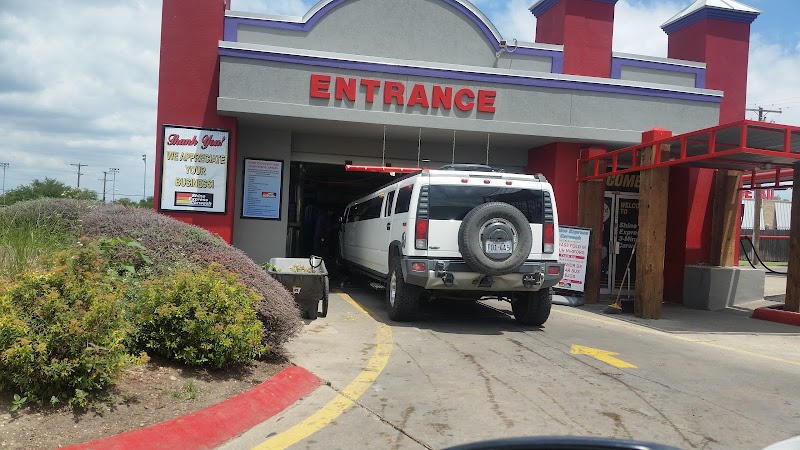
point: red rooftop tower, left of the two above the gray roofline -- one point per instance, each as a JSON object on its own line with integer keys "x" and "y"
{"x": 584, "y": 27}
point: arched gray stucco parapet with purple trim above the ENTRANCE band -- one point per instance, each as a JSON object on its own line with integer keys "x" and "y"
{"x": 421, "y": 30}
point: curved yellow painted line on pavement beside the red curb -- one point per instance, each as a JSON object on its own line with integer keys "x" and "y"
{"x": 346, "y": 398}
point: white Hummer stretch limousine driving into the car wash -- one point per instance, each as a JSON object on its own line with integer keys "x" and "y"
{"x": 463, "y": 231}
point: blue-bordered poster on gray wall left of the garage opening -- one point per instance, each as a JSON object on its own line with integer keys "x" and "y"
{"x": 263, "y": 180}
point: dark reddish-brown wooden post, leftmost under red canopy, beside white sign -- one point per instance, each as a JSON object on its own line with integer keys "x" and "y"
{"x": 590, "y": 215}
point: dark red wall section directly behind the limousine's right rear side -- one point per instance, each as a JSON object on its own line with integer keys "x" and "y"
{"x": 558, "y": 163}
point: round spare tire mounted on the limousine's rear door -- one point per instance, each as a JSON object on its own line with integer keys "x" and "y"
{"x": 495, "y": 238}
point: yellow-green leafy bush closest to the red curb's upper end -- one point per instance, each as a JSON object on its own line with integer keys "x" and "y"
{"x": 197, "y": 316}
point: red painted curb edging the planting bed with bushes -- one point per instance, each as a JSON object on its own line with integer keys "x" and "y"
{"x": 210, "y": 427}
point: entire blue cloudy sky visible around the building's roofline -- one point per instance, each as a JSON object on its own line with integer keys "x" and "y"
{"x": 79, "y": 78}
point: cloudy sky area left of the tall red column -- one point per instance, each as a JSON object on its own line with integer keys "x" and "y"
{"x": 81, "y": 87}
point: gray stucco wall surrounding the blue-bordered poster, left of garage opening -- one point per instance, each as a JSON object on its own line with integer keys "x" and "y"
{"x": 261, "y": 239}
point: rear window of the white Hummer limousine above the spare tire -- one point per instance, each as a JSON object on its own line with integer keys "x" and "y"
{"x": 454, "y": 202}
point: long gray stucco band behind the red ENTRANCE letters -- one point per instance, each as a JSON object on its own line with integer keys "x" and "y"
{"x": 250, "y": 86}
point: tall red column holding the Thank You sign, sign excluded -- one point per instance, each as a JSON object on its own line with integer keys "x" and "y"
{"x": 188, "y": 87}
